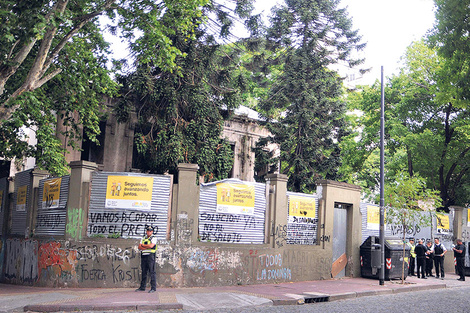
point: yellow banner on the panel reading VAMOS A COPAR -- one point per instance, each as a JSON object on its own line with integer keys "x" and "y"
{"x": 129, "y": 192}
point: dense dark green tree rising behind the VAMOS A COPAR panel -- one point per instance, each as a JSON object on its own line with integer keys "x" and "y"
{"x": 181, "y": 113}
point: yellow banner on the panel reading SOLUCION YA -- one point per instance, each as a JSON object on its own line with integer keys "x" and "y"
{"x": 235, "y": 198}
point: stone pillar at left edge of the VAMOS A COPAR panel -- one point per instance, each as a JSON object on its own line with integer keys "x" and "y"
{"x": 77, "y": 204}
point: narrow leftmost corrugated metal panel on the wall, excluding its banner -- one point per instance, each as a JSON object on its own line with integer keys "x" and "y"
{"x": 18, "y": 217}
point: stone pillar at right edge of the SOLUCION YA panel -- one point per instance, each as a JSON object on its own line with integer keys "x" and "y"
{"x": 278, "y": 209}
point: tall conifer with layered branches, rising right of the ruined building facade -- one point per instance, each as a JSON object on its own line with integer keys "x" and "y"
{"x": 304, "y": 107}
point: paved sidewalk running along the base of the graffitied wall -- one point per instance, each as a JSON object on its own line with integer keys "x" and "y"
{"x": 15, "y": 298}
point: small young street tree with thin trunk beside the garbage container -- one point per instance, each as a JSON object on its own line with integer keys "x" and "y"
{"x": 408, "y": 202}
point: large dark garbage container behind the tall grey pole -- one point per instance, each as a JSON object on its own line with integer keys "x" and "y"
{"x": 371, "y": 253}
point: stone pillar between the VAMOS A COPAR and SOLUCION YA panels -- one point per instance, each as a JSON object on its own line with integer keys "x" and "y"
{"x": 187, "y": 204}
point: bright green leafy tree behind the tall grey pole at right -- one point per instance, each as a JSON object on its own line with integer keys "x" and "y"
{"x": 426, "y": 127}
